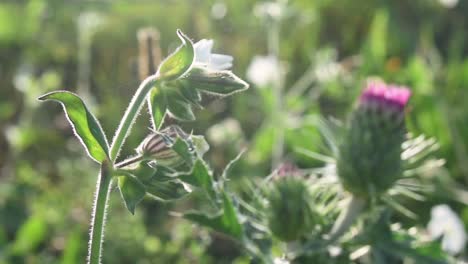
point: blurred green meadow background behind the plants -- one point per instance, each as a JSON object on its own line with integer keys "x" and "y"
{"x": 91, "y": 48}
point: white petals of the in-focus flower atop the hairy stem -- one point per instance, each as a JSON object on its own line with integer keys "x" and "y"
{"x": 204, "y": 57}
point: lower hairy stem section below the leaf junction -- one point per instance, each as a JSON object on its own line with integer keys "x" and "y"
{"x": 99, "y": 215}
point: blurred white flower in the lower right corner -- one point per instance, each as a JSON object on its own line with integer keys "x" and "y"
{"x": 446, "y": 224}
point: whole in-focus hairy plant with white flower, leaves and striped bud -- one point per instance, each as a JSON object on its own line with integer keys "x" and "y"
{"x": 171, "y": 91}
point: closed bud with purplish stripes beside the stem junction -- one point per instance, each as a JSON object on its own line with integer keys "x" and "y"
{"x": 158, "y": 146}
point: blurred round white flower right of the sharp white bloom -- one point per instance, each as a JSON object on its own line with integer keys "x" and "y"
{"x": 264, "y": 70}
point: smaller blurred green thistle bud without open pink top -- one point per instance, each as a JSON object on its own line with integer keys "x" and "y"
{"x": 290, "y": 214}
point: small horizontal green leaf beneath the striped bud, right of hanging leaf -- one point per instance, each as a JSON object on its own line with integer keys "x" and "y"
{"x": 165, "y": 190}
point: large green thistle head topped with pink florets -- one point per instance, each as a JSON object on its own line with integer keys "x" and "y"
{"x": 369, "y": 160}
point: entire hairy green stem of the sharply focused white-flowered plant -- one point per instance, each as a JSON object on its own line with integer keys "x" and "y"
{"x": 105, "y": 177}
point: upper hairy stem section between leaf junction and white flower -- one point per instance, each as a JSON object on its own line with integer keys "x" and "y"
{"x": 131, "y": 114}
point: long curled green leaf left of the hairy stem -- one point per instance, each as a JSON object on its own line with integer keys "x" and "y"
{"x": 84, "y": 124}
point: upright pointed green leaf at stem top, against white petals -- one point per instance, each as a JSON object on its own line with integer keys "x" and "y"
{"x": 179, "y": 62}
